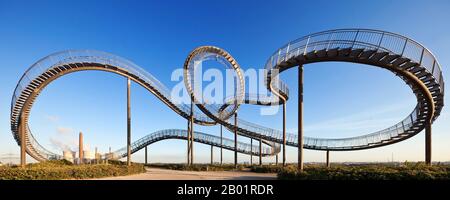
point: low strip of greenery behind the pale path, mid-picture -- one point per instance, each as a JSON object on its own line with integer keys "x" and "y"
{"x": 198, "y": 167}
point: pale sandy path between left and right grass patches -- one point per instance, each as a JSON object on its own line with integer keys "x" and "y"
{"x": 165, "y": 174}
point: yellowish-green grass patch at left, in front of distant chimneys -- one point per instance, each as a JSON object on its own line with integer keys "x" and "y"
{"x": 61, "y": 169}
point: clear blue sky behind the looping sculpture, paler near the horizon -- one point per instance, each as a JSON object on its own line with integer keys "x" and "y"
{"x": 341, "y": 99}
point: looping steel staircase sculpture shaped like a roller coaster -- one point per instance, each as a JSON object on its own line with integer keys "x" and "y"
{"x": 404, "y": 57}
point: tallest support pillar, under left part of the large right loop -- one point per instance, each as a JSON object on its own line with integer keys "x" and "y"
{"x": 300, "y": 118}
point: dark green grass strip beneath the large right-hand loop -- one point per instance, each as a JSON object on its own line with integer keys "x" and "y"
{"x": 406, "y": 171}
